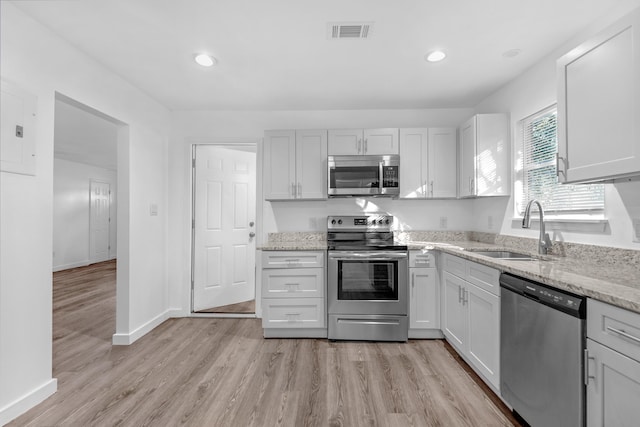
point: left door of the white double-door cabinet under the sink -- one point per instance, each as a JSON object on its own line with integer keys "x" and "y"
{"x": 454, "y": 313}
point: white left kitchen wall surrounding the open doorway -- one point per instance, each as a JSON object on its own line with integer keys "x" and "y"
{"x": 41, "y": 63}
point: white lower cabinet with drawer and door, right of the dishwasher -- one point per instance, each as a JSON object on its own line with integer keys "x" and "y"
{"x": 613, "y": 366}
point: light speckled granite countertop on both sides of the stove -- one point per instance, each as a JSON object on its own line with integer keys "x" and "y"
{"x": 610, "y": 275}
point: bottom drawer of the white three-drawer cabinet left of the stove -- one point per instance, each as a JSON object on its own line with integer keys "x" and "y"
{"x": 293, "y": 313}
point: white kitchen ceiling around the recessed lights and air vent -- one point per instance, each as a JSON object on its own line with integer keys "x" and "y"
{"x": 276, "y": 54}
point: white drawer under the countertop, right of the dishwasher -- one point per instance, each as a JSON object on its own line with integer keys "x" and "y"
{"x": 614, "y": 327}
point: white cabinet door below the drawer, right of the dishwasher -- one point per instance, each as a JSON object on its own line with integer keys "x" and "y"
{"x": 613, "y": 388}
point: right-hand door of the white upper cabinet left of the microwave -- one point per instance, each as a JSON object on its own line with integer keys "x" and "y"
{"x": 311, "y": 164}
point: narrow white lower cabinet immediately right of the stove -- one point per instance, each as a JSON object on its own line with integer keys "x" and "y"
{"x": 424, "y": 296}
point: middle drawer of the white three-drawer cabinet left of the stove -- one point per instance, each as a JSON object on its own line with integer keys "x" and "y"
{"x": 293, "y": 282}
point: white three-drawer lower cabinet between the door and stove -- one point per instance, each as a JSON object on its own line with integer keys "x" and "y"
{"x": 293, "y": 294}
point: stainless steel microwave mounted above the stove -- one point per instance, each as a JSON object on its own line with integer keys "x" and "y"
{"x": 364, "y": 176}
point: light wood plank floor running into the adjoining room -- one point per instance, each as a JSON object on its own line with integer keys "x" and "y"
{"x": 222, "y": 372}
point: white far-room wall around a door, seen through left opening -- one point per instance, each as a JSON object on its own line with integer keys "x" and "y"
{"x": 71, "y": 212}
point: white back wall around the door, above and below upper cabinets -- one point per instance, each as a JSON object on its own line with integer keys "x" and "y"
{"x": 206, "y": 126}
